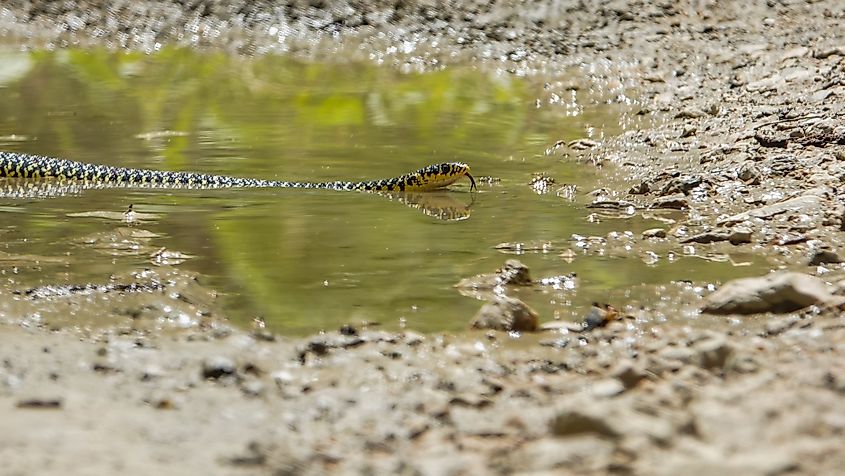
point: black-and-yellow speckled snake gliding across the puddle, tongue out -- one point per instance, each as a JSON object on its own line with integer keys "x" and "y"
{"x": 28, "y": 166}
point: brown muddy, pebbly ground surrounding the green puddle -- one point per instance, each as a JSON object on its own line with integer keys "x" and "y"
{"x": 745, "y": 103}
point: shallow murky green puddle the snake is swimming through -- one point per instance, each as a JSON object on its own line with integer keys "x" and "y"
{"x": 311, "y": 260}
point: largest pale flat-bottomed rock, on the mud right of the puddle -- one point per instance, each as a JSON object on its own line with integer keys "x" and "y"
{"x": 778, "y": 292}
